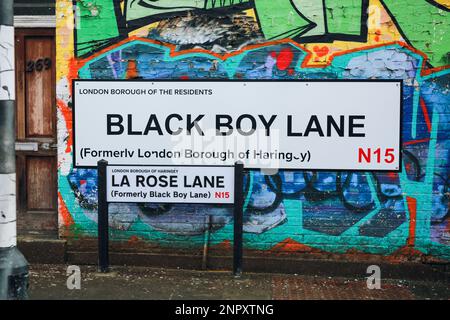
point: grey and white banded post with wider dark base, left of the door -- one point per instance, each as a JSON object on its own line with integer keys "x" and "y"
{"x": 13, "y": 266}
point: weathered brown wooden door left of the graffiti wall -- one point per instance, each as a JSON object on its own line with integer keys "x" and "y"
{"x": 36, "y": 146}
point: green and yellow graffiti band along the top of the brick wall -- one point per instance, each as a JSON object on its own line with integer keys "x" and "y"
{"x": 230, "y": 23}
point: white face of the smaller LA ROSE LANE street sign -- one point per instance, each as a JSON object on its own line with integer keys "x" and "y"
{"x": 184, "y": 192}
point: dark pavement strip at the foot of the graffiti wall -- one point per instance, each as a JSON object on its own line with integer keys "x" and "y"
{"x": 48, "y": 282}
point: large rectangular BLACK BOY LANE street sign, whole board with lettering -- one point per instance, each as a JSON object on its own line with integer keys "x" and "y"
{"x": 314, "y": 125}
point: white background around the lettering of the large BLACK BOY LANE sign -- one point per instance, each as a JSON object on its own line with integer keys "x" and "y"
{"x": 378, "y": 101}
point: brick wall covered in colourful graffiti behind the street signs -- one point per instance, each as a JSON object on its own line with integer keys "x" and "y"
{"x": 404, "y": 214}
